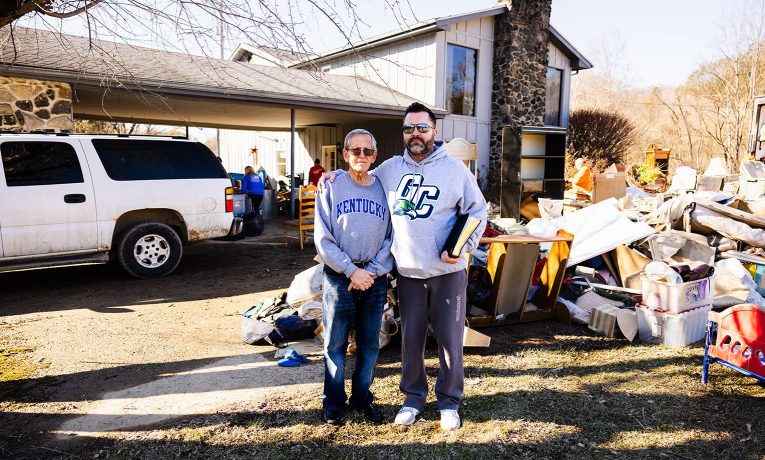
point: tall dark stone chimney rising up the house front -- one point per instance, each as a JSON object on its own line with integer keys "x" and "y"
{"x": 520, "y": 67}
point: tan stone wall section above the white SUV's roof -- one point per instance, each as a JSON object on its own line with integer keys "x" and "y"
{"x": 35, "y": 105}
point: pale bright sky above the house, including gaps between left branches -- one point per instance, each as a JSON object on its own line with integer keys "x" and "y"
{"x": 654, "y": 42}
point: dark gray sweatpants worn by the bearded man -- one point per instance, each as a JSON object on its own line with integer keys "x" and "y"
{"x": 441, "y": 301}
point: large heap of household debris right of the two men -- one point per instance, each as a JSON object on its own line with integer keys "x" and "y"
{"x": 654, "y": 265}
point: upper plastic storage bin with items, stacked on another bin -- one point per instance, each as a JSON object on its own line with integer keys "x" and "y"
{"x": 677, "y": 298}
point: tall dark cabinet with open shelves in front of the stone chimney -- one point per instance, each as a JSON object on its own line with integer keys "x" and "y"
{"x": 533, "y": 166}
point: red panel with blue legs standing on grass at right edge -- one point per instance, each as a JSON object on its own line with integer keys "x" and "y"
{"x": 740, "y": 341}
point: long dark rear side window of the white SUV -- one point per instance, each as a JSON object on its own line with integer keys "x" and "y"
{"x": 136, "y": 159}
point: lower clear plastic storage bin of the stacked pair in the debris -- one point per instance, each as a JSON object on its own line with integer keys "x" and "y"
{"x": 674, "y": 330}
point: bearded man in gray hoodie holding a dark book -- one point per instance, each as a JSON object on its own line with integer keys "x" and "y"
{"x": 426, "y": 191}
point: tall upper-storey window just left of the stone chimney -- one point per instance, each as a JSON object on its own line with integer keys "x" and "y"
{"x": 460, "y": 80}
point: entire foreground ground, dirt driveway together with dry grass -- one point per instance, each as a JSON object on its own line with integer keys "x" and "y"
{"x": 145, "y": 350}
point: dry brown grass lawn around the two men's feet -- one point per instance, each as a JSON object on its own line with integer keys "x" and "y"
{"x": 541, "y": 391}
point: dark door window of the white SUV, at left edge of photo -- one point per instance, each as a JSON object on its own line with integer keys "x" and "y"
{"x": 40, "y": 163}
